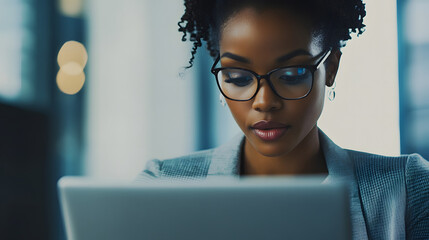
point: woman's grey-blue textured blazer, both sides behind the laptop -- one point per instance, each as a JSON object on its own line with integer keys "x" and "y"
{"x": 389, "y": 196}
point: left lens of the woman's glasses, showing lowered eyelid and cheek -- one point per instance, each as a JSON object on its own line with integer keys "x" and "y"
{"x": 237, "y": 84}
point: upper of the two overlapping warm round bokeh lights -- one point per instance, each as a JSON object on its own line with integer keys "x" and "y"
{"x": 72, "y": 51}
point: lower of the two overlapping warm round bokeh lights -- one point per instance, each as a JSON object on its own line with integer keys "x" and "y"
{"x": 69, "y": 83}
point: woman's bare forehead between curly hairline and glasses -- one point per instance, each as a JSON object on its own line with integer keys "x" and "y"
{"x": 267, "y": 31}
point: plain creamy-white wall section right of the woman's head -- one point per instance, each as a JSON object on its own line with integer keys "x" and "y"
{"x": 365, "y": 114}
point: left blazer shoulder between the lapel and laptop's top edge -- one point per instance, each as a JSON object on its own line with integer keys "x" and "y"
{"x": 191, "y": 166}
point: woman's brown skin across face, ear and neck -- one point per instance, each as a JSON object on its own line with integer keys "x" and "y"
{"x": 262, "y": 37}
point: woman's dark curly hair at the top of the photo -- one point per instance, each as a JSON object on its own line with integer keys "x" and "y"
{"x": 335, "y": 20}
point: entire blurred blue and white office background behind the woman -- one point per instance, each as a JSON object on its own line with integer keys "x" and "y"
{"x": 138, "y": 103}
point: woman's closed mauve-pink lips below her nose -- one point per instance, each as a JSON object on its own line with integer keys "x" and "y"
{"x": 269, "y": 130}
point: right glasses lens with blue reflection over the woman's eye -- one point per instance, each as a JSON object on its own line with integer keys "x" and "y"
{"x": 292, "y": 82}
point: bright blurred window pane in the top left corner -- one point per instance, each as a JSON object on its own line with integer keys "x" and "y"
{"x": 17, "y": 47}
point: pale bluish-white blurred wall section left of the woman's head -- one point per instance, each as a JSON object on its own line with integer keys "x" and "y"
{"x": 138, "y": 106}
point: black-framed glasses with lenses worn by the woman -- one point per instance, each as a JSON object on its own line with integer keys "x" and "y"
{"x": 289, "y": 83}
